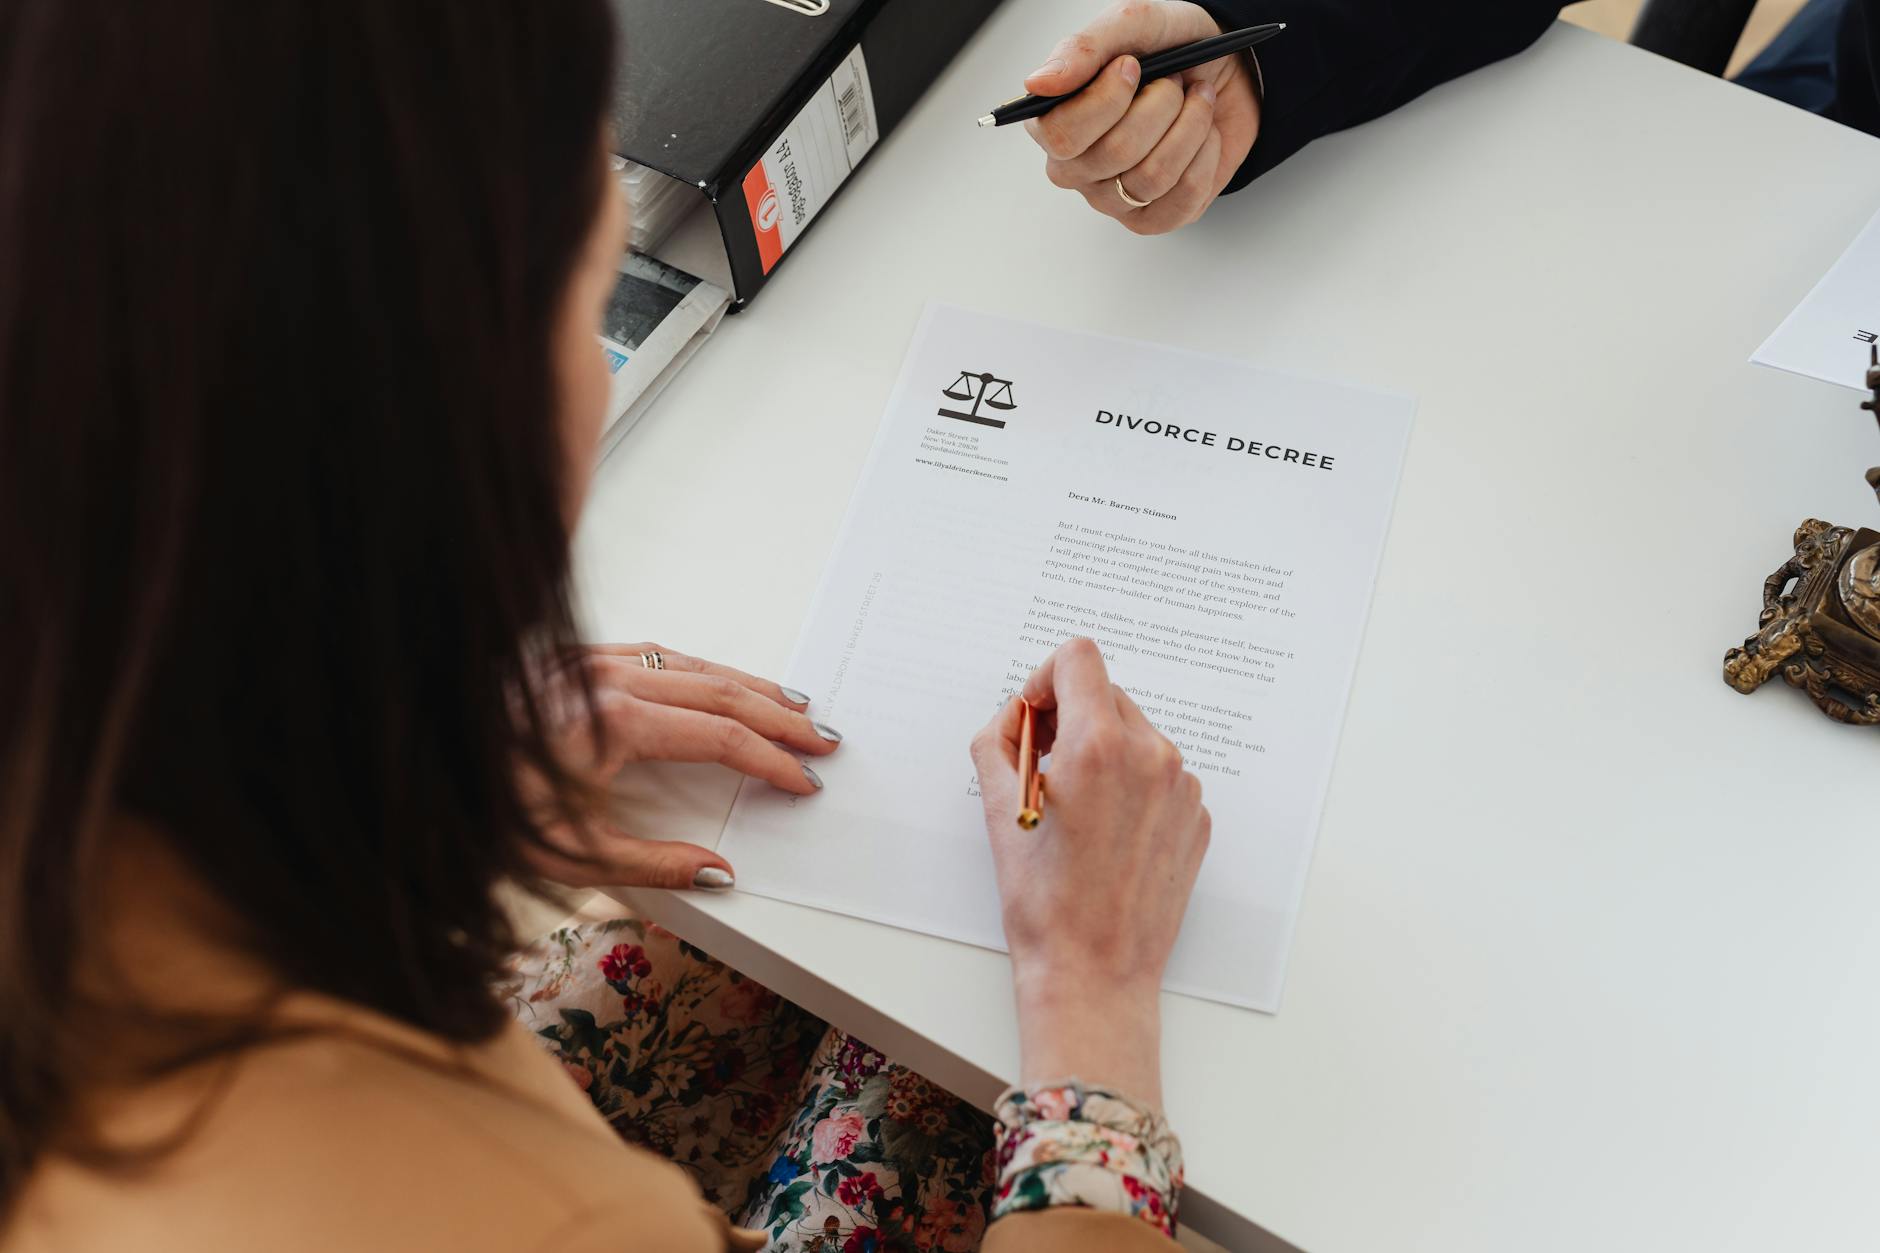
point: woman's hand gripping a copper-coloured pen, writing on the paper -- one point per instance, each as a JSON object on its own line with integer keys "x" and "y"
{"x": 1095, "y": 896}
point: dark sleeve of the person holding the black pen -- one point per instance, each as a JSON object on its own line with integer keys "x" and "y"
{"x": 1343, "y": 63}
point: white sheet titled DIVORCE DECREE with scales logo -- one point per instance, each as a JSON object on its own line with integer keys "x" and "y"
{"x": 1215, "y": 528}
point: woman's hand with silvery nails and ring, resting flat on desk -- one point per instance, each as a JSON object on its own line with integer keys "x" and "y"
{"x": 689, "y": 712}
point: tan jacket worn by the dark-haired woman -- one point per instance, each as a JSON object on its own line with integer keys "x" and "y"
{"x": 375, "y": 1137}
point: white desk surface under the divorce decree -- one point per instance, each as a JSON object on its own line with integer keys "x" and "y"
{"x": 1591, "y": 947}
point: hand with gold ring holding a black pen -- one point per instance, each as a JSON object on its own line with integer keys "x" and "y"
{"x": 1168, "y": 148}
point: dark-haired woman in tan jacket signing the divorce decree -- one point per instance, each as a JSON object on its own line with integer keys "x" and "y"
{"x": 298, "y": 405}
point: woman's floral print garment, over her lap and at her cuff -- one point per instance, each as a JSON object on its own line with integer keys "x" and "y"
{"x": 807, "y": 1134}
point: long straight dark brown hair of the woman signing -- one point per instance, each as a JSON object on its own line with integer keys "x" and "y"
{"x": 281, "y": 505}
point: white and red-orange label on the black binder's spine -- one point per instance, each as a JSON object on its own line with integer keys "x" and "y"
{"x": 811, "y": 159}
